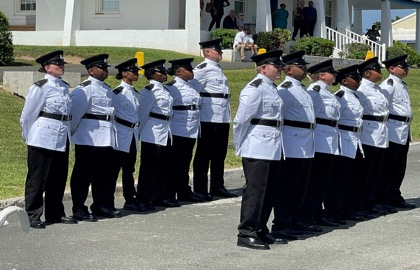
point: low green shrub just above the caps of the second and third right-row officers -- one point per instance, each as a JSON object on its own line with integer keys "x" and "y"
{"x": 315, "y": 46}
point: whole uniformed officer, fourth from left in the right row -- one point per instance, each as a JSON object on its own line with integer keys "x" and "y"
{"x": 342, "y": 199}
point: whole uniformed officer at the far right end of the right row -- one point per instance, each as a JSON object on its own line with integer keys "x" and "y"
{"x": 399, "y": 120}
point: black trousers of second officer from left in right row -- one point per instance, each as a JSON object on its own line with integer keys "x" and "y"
{"x": 291, "y": 190}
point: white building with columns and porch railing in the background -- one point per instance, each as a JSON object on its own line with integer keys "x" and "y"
{"x": 173, "y": 24}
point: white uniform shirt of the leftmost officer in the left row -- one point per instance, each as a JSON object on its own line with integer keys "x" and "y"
{"x": 51, "y": 97}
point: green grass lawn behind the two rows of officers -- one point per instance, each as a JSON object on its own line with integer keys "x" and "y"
{"x": 13, "y": 149}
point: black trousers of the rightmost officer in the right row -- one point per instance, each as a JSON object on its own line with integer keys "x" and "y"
{"x": 394, "y": 167}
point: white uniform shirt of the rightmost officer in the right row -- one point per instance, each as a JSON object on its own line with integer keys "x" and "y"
{"x": 395, "y": 90}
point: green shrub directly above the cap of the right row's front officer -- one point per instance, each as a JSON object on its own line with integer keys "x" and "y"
{"x": 273, "y": 40}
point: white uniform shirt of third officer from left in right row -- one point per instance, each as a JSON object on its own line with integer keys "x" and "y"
{"x": 326, "y": 107}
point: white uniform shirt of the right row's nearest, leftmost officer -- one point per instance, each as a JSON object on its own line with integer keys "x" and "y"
{"x": 258, "y": 100}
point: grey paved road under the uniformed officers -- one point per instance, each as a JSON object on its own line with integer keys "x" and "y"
{"x": 203, "y": 236}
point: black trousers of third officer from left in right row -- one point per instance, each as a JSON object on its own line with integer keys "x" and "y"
{"x": 319, "y": 181}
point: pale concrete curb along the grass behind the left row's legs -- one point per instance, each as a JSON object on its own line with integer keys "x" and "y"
{"x": 230, "y": 175}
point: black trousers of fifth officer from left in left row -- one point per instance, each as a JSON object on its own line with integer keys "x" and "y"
{"x": 182, "y": 152}
